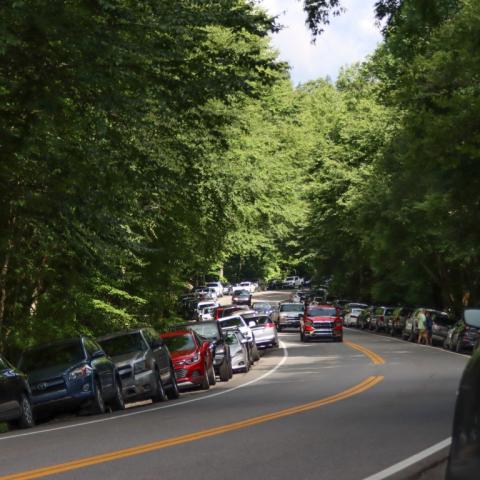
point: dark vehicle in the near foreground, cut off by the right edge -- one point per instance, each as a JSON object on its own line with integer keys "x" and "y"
{"x": 464, "y": 460}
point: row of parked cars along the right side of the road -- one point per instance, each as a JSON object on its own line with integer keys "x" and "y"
{"x": 456, "y": 334}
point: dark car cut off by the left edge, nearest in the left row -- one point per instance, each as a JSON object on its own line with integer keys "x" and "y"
{"x": 15, "y": 397}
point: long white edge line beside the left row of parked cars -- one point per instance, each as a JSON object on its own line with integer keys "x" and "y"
{"x": 149, "y": 410}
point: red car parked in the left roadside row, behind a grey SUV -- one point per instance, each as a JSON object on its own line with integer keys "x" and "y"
{"x": 192, "y": 359}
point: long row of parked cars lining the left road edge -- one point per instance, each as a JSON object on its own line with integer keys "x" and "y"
{"x": 93, "y": 376}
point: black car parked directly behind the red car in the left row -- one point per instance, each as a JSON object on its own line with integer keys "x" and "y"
{"x": 212, "y": 331}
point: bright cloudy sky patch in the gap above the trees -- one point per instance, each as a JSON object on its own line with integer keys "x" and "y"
{"x": 348, "y": 39}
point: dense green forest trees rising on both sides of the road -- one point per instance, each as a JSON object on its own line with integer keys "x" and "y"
{"x": 144, "y": 145}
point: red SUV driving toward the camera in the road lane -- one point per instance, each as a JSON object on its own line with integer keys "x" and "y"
{"x": 321, "y": 321}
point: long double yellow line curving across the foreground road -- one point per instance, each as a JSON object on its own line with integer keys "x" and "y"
{"x": 170, "y": 442}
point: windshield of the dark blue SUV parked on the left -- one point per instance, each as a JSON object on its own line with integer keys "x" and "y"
{"x": 48, "y": 356}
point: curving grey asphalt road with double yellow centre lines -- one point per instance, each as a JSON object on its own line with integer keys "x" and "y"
{"x": 307, "y": 411}
